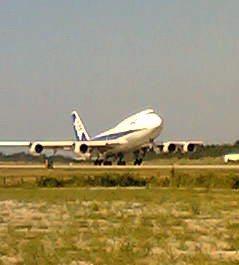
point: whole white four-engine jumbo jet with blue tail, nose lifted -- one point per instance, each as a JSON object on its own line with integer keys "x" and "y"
{"x": 135, "y": 134}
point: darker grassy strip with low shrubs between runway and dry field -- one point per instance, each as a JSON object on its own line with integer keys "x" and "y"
{"x": 208, "y": 178}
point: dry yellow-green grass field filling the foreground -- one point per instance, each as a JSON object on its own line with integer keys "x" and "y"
{"x": 119, "y": 226}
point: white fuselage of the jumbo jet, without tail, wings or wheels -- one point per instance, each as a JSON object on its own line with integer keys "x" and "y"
{"x": 134, "y": 132}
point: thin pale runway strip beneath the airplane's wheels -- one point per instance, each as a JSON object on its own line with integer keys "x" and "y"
{"x": 115, "y": 167}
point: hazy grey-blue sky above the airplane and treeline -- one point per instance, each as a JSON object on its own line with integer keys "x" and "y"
{"x": 108, "y": 59}
